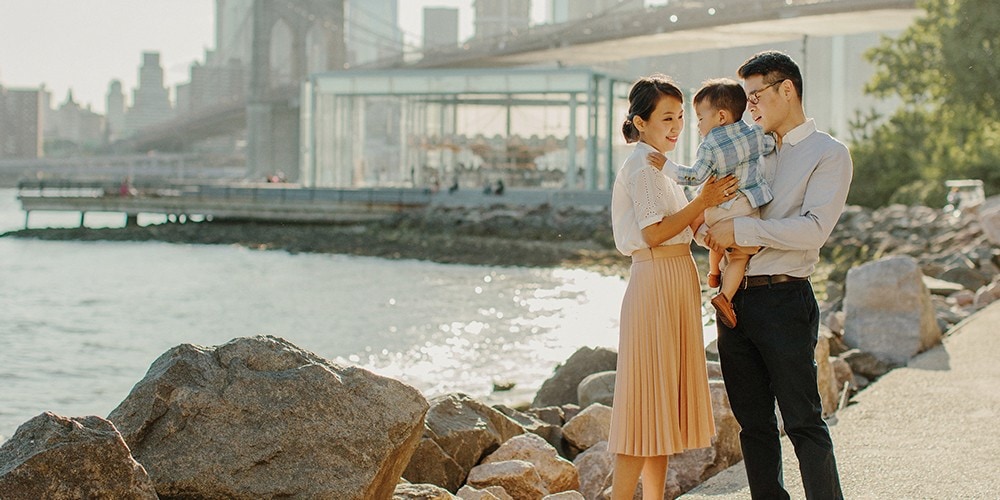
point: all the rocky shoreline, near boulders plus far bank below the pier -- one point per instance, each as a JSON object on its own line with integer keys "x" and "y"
{"x": 230, "y": 421}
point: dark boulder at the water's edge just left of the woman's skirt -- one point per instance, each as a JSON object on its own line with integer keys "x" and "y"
{"x": 561, "y": 388}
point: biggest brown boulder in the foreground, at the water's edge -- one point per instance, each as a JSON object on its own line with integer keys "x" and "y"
{"x": 260, "y": 418}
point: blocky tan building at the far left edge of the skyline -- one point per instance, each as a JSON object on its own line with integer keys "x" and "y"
{"x": 21, "y": 123}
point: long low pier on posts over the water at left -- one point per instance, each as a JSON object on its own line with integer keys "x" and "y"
{"x": 264, "y": 202}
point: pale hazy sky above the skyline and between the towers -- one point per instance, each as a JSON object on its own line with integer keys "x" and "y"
{"x": 85, "y": 44}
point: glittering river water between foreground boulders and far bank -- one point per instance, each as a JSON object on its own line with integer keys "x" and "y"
{"x": 82, "y": 321}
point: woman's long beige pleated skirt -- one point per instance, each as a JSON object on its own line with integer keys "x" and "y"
{"x": 662, "y": 405}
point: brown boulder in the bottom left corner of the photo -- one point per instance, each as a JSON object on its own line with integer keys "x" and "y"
{"x": 60, "y": 458}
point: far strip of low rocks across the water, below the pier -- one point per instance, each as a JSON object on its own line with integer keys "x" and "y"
{"x": 491, "y": 237}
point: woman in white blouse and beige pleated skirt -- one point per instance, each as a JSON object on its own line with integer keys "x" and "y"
{"x": 662, "y": 405}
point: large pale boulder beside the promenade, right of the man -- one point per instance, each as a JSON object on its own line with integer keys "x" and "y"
{"x": 889, "y": 311}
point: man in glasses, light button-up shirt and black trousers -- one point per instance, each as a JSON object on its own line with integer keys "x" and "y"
{"x": 768, "y": 356}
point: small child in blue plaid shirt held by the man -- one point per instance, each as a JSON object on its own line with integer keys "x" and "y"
{"x": 729, "y": 146}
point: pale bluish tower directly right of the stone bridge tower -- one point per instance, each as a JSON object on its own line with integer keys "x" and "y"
{"x": 372, "y": 31}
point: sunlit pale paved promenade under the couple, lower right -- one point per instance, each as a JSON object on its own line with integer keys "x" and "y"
{"x": 924, "y": 431}
